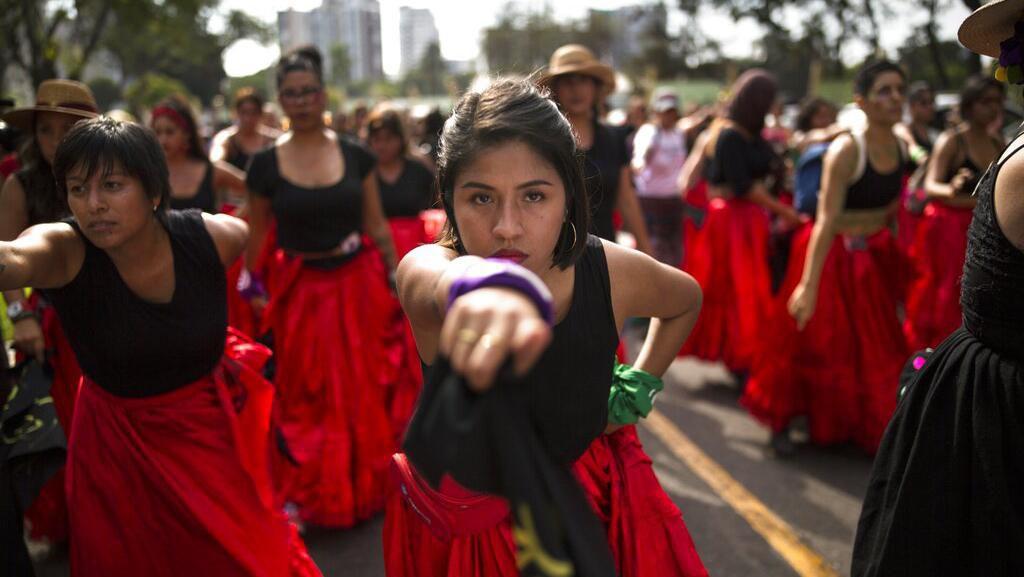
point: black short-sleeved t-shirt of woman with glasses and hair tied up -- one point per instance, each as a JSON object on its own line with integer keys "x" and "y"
{"x": 314, "y": 220}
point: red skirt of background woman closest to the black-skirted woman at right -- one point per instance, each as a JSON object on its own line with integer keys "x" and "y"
{"x": 937, "y": 257}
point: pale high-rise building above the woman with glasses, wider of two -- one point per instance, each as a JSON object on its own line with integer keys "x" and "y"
{"x": 353, "y": 24}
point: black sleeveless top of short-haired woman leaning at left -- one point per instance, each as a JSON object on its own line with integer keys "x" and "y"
{"x": 134, "y": 348}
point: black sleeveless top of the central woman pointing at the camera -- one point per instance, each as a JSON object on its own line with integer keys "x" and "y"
{"x": 570, "y": 386}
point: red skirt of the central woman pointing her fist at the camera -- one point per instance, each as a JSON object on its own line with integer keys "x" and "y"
{"x": 647, "y": 532}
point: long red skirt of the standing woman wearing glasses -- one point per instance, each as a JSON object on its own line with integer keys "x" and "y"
{"x": 330, "y": 333}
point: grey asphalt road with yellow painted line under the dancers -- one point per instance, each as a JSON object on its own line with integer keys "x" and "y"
{"x": 815, "y": 494}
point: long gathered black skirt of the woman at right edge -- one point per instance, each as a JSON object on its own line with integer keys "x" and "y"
{"x": 947, "y": 491}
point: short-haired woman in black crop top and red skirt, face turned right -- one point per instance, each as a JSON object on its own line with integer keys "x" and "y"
{"x": 835, "y": 348}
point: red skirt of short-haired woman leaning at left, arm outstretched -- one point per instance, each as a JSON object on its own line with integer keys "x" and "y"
{"x": 179, "y": 484}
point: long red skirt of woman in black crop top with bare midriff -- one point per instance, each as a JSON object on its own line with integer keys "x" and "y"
{"x": 842, "y": 370}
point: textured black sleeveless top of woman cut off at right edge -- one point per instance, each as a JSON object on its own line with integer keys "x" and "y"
{"x": 994, "y": 275}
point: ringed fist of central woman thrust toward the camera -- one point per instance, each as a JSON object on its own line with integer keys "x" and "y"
{"x": 487, "y": 326}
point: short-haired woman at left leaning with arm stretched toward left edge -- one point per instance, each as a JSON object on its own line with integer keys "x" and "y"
{"x": 173, "y": 415}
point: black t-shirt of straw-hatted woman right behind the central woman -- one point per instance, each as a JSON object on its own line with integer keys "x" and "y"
{"x": 603, "y": 169}
